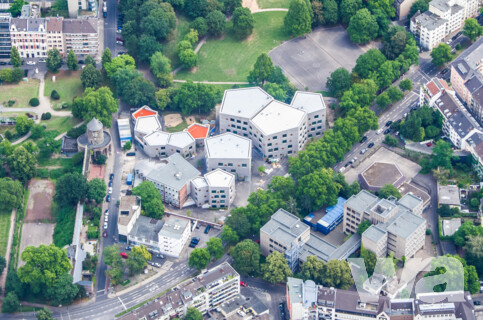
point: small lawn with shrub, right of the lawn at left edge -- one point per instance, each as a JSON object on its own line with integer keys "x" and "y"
{"x": 67, "y": 84}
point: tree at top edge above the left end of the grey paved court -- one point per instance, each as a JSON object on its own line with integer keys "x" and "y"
{"x": 297, "y": 21}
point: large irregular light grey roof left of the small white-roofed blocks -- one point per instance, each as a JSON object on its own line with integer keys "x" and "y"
{"x": 174, "y": 171}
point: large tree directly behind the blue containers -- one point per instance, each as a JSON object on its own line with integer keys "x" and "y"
{"x": 317, "y": 189}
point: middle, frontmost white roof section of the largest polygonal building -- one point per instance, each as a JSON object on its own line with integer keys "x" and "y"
{"x": 278, "y": 117}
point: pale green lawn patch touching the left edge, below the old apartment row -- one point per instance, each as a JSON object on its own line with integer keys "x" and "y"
{"x": 21, "y": 93}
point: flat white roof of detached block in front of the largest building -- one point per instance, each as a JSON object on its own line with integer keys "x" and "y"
{"x": 228, "y": 146}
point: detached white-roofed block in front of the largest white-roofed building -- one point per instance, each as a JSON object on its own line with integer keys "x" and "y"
{"x": 231, "y": 153}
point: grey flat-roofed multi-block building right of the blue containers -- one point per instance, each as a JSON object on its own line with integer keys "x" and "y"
{"x": 397, "y": 227}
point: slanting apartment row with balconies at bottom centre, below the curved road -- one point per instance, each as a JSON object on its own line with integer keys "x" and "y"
{"x": 205, "y": 292}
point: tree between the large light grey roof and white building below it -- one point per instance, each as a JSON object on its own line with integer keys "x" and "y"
{"x": 151, "y": 201}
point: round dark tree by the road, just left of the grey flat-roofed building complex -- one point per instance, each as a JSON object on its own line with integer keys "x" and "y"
{"x": 246, "y": 257}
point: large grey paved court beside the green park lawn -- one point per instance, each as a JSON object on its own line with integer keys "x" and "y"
{"x": 308, "y": 61}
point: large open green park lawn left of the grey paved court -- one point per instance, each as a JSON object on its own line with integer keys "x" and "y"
{"x": 229, "y": 59}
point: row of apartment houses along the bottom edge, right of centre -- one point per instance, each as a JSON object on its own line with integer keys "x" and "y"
{"x": 308, "y": 301}
